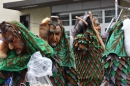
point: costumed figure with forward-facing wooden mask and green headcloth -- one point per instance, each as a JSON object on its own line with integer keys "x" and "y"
{"x": 64, "y": 73}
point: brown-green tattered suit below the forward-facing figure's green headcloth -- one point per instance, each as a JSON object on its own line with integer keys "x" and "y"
{"x": 63, "y": 76}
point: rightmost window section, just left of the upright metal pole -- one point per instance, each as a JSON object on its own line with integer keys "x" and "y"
{"x": 109, "y": 14}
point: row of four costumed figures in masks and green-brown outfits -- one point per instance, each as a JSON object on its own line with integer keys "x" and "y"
{"x": 86, "y": 63}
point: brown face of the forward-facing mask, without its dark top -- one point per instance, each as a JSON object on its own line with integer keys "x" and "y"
{"x": 55, "y": 35}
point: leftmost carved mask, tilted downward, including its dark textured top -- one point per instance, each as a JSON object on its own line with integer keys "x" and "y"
{"x": 12, "y": 37}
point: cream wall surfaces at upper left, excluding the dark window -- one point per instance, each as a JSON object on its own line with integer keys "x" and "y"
{"x": 36, "y": 15}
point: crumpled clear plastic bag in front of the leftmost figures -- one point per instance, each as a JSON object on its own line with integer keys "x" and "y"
{"x": 39, "y": 70}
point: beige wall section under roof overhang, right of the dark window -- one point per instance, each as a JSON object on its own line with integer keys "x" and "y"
{"x": 36, "y": 16}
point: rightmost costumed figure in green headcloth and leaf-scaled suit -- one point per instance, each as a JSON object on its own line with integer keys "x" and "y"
{"x": 116, "y": 55}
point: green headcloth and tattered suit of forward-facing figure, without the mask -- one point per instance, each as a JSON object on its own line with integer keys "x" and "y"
{"x": 64, "y": 73}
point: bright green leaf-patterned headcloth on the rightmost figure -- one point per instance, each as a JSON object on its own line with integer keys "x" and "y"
{"x": 114, "y": 43}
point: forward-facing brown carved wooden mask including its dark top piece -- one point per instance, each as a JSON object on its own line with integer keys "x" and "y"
{"x": 55, "y": 31}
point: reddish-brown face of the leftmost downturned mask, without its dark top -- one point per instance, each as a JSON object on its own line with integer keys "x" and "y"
{"x": 13, "y": 41}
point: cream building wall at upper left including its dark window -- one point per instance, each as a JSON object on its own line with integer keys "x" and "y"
{"x": 31, "y": 18}
